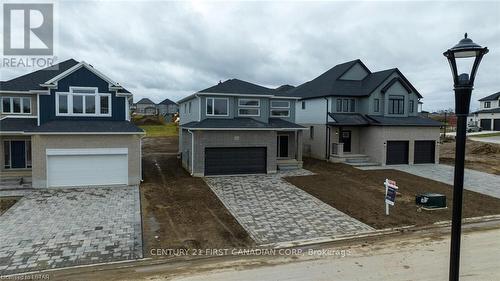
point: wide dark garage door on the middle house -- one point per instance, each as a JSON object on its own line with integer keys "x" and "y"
{"x": 235, "y": 160}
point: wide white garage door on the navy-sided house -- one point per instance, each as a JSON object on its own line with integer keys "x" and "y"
{"x": 83, "y": 167}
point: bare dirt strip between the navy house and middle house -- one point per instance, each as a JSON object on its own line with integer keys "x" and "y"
{"x": 181, "y": 210}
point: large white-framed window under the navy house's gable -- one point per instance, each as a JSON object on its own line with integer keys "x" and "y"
{"x": 83, "y": 101}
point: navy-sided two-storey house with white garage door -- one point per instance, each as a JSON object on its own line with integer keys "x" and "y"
{"x": 68, "y": 125}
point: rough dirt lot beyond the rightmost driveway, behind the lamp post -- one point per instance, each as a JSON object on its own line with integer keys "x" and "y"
{"x": 480, "y": 156}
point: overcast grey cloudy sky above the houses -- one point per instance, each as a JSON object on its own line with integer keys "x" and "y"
{"x": 171, "y": 49}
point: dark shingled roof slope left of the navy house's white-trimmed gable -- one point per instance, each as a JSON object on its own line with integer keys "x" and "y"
{"x": 32, "y": 81}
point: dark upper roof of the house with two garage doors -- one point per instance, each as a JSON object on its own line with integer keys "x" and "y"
{"x": 330, "y": 84}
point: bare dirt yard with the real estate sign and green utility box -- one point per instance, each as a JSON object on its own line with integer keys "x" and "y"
{"x": 360, "y": 194}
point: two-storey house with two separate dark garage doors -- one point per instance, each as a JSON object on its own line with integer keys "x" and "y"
{"x": 362, "y": 117}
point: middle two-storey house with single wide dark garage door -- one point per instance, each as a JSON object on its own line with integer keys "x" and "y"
{"x": 237, "y": 127}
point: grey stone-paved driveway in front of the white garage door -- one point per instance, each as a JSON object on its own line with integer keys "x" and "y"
{"x": 64, "y": 227}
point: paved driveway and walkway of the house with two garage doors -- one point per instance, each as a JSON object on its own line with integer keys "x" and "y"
{"x": 473, "y": 180}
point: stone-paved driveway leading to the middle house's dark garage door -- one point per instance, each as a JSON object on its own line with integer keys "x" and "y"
{"x": 272, "y": 210}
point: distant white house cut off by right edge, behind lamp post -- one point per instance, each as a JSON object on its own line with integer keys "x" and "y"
{"x": 488, "y": 114}
